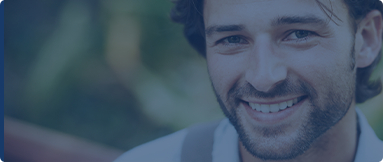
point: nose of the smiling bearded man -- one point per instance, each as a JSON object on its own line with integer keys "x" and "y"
{"x": 265, "y": 67}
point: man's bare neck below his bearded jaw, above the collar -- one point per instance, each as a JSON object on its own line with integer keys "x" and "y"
{"x": 338, "y": 144}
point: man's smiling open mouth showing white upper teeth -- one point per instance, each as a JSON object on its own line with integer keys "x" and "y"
{"x": 272, "y": 108}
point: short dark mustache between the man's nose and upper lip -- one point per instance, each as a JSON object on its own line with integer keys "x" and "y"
{"x": 281, "y": 89}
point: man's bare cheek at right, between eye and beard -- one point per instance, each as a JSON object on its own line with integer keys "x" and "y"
{"x": 327, "y": 71}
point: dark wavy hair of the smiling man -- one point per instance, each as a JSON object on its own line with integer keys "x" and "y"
{"x": 190, "y": 14}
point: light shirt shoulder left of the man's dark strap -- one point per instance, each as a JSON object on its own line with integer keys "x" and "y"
{"x": 164, "y": 149}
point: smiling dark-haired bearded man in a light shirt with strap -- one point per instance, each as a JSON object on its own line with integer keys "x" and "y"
{"x": 287, "y": 74}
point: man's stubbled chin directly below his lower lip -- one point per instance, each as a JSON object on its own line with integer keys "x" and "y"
{"x": 273, "y": 143}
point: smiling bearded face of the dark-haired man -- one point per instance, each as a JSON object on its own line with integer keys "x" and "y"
{"x": 282, "y": 71}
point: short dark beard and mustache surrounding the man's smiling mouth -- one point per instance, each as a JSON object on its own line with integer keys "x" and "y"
{"x": 325, "y": 109}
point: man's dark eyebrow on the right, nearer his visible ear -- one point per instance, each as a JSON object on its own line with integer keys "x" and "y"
{"x": 309, "y": 19}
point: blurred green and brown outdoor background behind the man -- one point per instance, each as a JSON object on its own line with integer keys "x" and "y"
{"x": 91, "y": 79}
